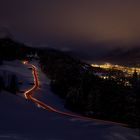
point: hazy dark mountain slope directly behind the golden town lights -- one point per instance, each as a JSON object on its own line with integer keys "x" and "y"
{"x": 107, "y": 53}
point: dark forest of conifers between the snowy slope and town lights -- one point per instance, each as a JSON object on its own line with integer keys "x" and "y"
{"x": 88, "y": 94}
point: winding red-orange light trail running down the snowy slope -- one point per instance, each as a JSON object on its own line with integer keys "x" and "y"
{"x": 28, "y": 95}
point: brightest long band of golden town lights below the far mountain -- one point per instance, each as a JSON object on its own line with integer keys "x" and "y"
{"x": 129, "y": 70}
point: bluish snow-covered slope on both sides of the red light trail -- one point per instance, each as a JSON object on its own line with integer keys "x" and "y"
{"x": 21, "y": 119}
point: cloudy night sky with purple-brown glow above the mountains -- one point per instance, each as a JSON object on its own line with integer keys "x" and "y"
{"x": 72, "y": 24}
